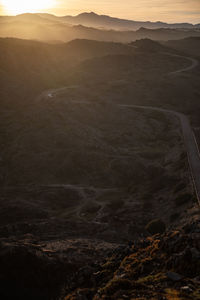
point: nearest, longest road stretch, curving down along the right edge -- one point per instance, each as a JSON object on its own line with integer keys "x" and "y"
{"x": 189, "y": 141}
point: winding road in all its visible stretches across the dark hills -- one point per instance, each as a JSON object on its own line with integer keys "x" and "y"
{"x": 188, "y": 134}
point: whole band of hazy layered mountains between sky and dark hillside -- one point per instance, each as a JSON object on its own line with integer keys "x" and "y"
{"x": 50, "y": 28}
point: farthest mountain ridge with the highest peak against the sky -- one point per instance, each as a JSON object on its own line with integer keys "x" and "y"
{"x": 103, "y": 21}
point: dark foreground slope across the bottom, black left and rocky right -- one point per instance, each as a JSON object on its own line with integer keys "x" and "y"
{"x": 159, "y": 267}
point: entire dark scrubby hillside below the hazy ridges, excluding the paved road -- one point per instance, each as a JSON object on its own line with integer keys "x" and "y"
{"x": 87, "y": 183}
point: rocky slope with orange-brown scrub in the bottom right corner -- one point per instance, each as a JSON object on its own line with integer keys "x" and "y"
{"x": 160, "y": 267}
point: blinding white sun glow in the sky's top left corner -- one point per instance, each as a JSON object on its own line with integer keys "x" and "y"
{"x": 23, "y": 6}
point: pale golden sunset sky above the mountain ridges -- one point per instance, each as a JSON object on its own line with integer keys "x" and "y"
{"x": 153, "y": 10}
